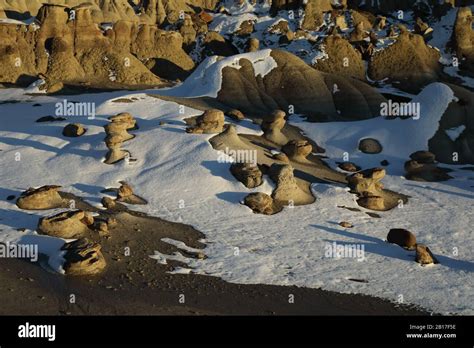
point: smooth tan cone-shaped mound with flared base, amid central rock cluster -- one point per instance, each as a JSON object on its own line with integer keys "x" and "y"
{"x": 287, "y": 191}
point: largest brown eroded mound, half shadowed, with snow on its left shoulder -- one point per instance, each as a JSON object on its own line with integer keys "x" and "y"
{"x": 318, "y": 95}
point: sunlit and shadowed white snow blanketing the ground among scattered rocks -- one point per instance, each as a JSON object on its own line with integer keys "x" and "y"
{"x": 174, "y": 167}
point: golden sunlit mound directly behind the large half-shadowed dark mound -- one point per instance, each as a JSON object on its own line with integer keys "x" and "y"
{"x": 343, "y": 60}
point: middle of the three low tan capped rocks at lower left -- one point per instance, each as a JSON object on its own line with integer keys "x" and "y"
{"x": 71, "y": 224}
